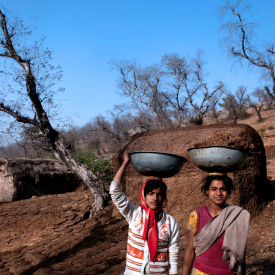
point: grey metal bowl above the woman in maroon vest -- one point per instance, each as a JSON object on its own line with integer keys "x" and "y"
{"x": 218, "y": 158}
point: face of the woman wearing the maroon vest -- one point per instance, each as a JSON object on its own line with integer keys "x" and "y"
{"x": 217, "y": 192}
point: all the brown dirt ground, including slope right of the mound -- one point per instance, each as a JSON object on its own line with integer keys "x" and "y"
{"x": 53, "y": 235}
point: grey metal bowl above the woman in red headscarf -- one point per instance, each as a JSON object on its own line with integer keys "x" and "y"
{"x": 158, "y": 164}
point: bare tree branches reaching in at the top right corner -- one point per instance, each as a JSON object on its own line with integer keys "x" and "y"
{"x": 239, "y": 42}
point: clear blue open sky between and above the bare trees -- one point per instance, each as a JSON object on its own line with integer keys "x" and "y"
{"x": 85, "y": 35}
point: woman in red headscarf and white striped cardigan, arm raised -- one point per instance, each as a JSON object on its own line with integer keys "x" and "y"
{"x": 153, "y": 238}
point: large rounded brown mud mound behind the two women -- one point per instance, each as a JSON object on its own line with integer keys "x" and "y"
{"x": 184, "y": 189}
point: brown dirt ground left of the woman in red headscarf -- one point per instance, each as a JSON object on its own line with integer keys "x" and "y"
{"x": 70, "y": 243}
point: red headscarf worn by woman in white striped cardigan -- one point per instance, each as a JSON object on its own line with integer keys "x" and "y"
{"x": 150, "y": 231}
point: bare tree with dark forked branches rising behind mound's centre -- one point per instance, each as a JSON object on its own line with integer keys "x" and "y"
{"x": 187, "y": 91}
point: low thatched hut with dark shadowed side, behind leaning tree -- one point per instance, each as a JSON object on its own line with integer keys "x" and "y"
{"x": 23, "y": 178}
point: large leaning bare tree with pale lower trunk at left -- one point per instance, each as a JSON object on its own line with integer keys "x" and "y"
{"x": 34, "y": 78}
